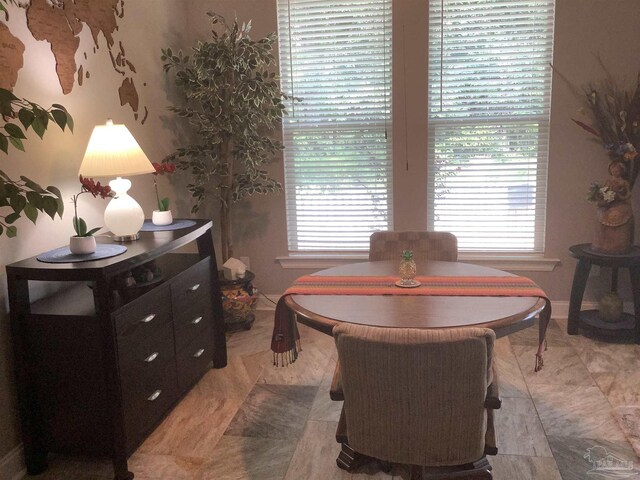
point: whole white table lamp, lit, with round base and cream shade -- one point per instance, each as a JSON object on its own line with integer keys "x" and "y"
{"x": 112, "y": 151}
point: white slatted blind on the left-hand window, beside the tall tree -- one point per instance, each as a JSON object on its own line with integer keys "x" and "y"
{"x": 335, "y": 57}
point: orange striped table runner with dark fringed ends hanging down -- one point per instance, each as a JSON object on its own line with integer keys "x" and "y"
{"x": 285, "y": 342}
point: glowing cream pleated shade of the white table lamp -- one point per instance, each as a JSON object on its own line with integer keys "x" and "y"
{"x": 112, "y": 151}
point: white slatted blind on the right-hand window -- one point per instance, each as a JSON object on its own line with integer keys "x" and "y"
{"x": 489, "y": 101}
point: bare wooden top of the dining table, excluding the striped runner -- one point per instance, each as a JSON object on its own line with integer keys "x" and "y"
{"x": 503, "y": 314}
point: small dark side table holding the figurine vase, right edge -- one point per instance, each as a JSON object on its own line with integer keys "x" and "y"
{"x": 629, "y": 325}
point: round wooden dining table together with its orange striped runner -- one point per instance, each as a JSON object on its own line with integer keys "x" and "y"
{"x": 447, "y": 302}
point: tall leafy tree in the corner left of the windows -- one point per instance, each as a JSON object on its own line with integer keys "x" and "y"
{"x": 233, "y": 102}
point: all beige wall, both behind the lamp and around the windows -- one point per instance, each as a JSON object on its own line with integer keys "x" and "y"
{"x": 583, "y": 27}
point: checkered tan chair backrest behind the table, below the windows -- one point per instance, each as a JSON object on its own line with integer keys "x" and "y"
{"x": 425, "y": 245}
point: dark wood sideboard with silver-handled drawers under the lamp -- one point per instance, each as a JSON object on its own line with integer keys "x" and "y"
{"x": 99, "y": 365}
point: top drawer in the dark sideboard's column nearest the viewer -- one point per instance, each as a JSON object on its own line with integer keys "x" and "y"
{"x": 143, "y": 318}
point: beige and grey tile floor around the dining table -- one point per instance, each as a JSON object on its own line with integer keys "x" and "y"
{"x": 254, "y": 421}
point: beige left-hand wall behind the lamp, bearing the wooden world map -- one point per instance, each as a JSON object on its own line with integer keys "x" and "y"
{"x": 146, "y": 26}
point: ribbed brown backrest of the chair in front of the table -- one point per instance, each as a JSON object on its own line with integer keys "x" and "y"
{"x": 415, "y": 396}
